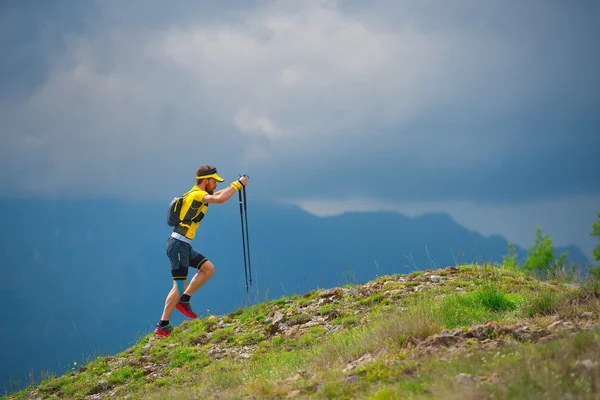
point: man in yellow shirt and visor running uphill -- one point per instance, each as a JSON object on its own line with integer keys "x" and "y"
{"x": 179, "y": 249}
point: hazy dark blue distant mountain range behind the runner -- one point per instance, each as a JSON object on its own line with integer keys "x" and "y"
{"x": 85, "y": 277}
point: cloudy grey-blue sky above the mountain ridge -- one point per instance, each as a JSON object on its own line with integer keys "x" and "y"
{"x": 488, "y": 111}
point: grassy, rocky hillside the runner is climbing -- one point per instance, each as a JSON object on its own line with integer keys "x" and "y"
{"x": 457, "y": 333}
